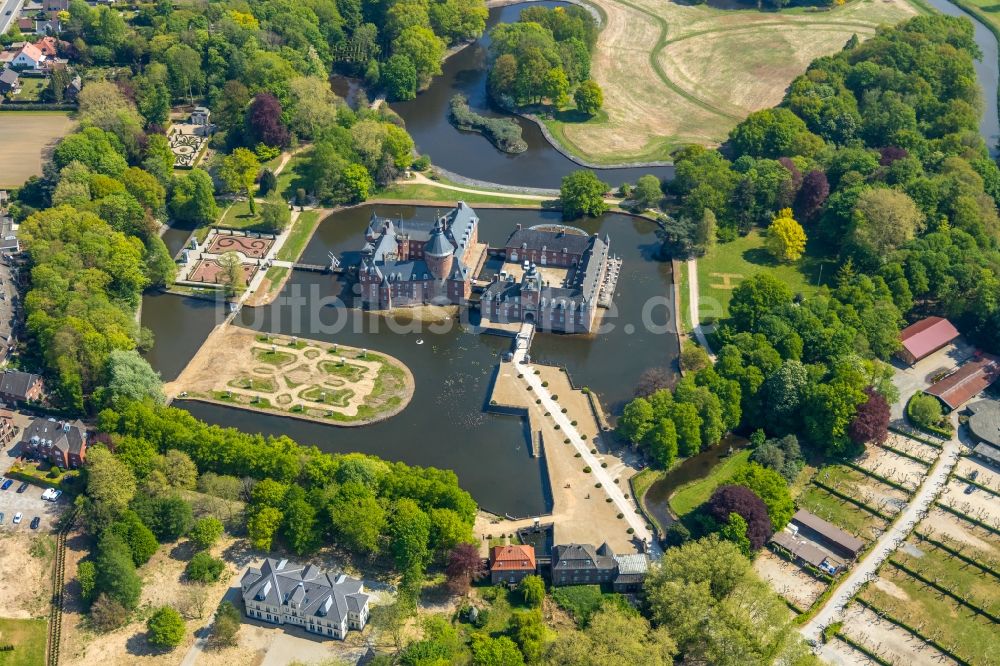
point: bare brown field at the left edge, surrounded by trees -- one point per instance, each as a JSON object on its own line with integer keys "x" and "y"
{"x": 26, "y": 139}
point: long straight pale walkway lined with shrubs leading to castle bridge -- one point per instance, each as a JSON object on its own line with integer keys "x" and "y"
{"x": 635, "y": 520}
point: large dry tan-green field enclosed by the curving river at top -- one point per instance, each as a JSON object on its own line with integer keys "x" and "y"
{"x": 674, "y": 74}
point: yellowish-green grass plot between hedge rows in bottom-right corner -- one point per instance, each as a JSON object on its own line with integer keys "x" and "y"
{"x": 968, "y": 634}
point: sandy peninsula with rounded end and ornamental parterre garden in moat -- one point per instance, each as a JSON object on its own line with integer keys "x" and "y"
{"x": 294, "y": 377}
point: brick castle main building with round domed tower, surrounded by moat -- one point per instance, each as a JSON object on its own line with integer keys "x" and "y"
{"x": 413, "y": 263}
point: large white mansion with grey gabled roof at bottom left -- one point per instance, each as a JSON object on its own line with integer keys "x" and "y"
{"x": 306, "y": 596}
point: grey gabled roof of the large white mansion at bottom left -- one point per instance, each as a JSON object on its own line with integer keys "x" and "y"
{"x": 277, "y": 583}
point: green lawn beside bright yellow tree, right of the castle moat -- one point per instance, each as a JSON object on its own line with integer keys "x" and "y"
{"x": 723, "y": 268}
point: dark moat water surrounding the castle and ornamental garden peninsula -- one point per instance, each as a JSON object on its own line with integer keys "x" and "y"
{"x": 446, "y": 424}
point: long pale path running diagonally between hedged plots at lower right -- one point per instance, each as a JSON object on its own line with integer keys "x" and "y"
{"x": 866, "y": 569}
